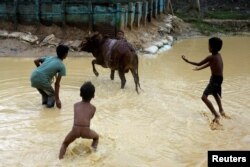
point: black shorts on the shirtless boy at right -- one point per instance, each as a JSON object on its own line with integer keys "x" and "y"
{"x": 214, "y": 86}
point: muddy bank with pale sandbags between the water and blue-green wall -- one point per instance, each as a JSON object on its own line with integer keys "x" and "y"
{"x": 165, "y": 28}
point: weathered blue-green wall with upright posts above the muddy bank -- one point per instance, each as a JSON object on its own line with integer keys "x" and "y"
{"x": 99, "y": 15}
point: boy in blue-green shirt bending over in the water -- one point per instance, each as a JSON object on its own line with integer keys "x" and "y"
{"x": 41, "y": 78}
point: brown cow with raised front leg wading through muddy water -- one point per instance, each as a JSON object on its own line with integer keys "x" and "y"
{"x": 114, "y": 54}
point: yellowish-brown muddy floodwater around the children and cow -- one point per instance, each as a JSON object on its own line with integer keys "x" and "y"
{"x": 166, "y": 123}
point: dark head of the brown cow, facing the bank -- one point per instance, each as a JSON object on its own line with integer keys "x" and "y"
{"x": 93, "y": 42}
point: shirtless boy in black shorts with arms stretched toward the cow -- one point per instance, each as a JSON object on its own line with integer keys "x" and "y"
{"x": 215, "y": 63}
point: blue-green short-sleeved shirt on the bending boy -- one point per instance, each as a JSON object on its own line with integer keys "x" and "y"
{"x": 43, "y": 75}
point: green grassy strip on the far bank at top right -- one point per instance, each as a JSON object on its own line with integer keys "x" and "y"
{"x": 220, "y": 20}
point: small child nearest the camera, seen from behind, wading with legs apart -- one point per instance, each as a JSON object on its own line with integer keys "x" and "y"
{"x": 83, "y": 113}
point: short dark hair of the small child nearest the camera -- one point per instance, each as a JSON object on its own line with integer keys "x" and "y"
{"x": 87, "y": 91}
